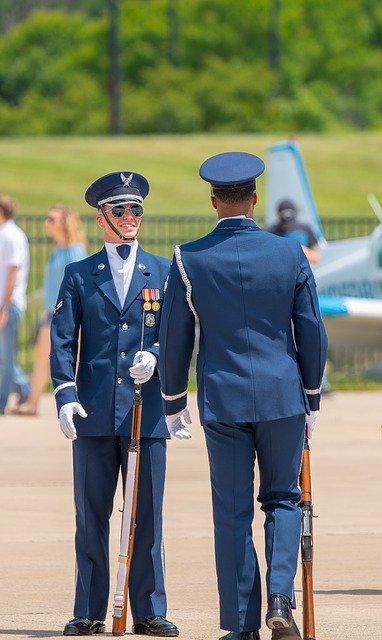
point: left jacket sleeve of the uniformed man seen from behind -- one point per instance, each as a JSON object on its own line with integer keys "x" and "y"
{"x": 176, "y": 340}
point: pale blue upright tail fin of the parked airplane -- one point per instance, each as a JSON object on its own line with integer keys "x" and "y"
{"x": 287, "y": 179}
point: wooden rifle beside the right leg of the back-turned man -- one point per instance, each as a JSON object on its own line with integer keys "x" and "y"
{"x": 307, "y": 544}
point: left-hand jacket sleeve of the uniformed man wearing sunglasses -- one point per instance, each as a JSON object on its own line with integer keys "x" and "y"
{"x": 64, "y": 342}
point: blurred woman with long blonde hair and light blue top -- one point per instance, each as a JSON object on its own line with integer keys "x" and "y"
{"x": 64, "y": 226}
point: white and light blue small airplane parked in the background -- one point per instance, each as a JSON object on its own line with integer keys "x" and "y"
{"x": 349, "y": 273}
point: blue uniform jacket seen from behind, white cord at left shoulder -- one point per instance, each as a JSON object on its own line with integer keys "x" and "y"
{"x": 262, "y": 345}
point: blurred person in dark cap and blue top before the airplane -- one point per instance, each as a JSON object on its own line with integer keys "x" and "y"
{"x": 289, "y": 227}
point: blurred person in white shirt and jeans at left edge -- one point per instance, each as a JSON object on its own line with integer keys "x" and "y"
{"x": 14, "y": 270}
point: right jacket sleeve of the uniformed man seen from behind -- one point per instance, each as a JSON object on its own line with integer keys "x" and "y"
{"x": 309, "y": 333}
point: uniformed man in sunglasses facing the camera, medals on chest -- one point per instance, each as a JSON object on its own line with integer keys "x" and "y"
{"x": 108, "y": 309}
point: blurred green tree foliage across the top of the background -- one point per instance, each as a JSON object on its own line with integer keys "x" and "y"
{"x": 203, "y": 65}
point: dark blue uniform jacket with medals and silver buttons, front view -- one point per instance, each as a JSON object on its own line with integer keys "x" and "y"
{"x": 88, "y": 316}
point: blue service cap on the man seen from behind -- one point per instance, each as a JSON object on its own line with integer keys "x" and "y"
{"x": 232, "y": 169}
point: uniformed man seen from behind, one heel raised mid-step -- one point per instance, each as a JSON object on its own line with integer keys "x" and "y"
{"x": 262, "y": 351}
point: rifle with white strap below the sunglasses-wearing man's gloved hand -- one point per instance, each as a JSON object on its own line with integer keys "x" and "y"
{"x": 129, "y": 506}
